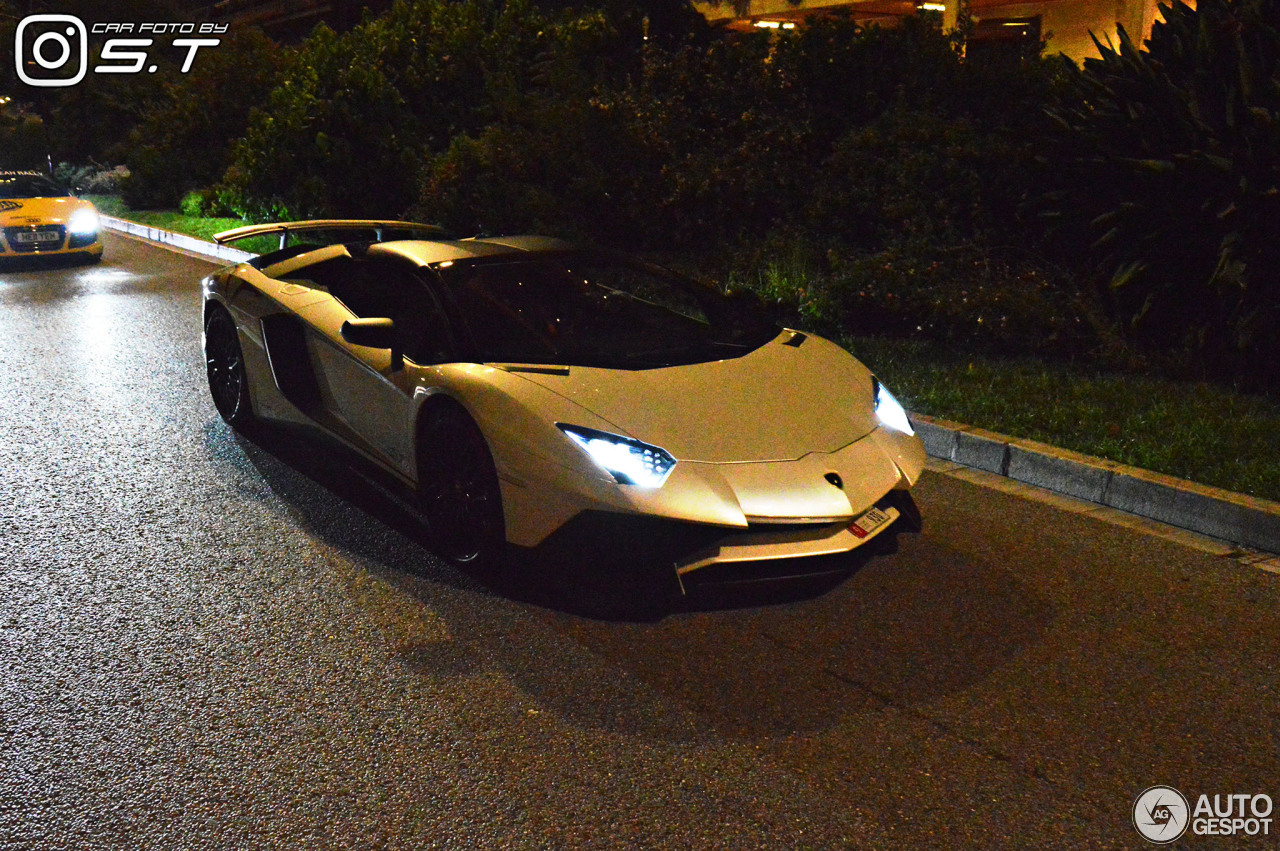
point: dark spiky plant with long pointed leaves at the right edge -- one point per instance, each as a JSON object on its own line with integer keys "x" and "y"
{"x": 1169, "y": 168}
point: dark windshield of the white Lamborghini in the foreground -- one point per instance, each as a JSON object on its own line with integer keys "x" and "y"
{"x": 587, "y": 310}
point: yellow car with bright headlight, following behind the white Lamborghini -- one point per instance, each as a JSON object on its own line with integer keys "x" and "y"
{"x": 38, "y": 217}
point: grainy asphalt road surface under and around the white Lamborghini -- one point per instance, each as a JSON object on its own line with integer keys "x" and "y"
{"x": 209, "y": 642}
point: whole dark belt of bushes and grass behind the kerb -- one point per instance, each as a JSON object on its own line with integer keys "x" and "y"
{"x": 1087, "y": 255}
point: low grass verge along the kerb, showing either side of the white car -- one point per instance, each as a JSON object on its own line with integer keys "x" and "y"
{"x": 1197, "y": 432}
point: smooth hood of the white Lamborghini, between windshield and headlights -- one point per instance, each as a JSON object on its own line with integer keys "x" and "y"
{"x": 778, "y": 404}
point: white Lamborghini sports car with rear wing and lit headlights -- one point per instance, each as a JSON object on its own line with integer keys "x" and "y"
{"x": 532, "y": 395}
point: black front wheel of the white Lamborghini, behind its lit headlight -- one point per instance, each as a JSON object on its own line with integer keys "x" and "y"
{"x": 459, "y": 491}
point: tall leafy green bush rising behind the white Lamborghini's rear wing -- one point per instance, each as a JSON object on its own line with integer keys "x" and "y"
{"x": 354, "y": 118}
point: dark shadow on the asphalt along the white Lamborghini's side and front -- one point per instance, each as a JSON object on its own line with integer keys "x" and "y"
{"x": 895, "y": 633}
